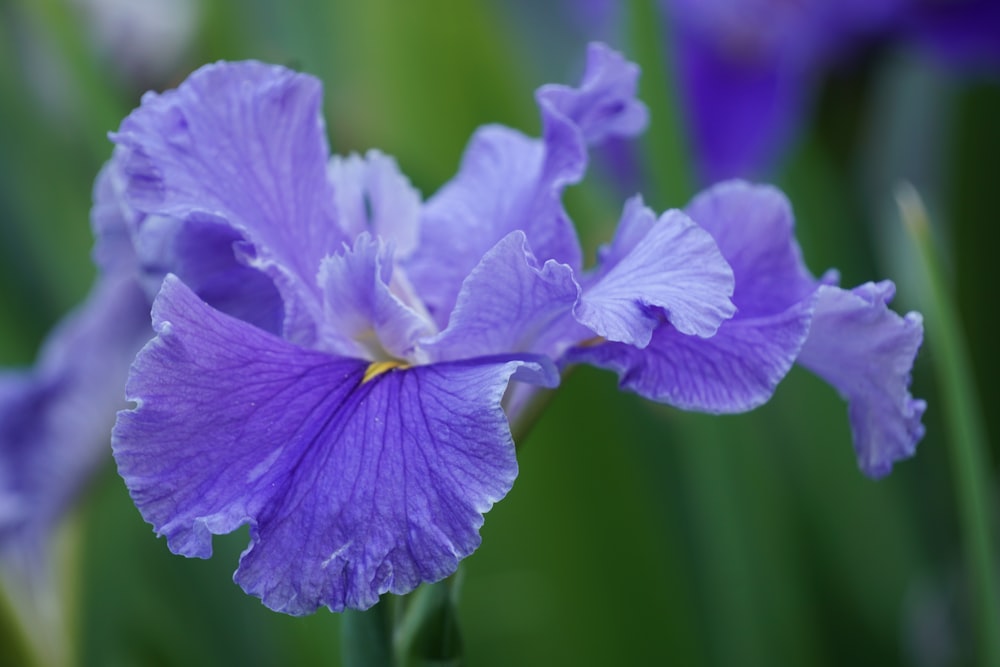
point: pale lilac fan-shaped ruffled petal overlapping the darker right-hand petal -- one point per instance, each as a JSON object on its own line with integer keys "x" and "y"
{"x": 670, "y": 264}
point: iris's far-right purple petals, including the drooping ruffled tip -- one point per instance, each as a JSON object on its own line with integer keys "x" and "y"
{"x": 848, "y": 337}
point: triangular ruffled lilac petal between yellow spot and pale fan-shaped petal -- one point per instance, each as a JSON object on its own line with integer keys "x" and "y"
{"x": 509, "y": 304}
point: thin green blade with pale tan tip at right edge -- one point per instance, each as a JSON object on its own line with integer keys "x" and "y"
{"x": 970, "y": 464}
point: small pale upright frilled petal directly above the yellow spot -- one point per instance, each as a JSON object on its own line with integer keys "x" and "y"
{"x": 363, "y": 318}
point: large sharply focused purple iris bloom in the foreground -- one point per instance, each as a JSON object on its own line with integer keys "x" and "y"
{"x": 336, "y": 362}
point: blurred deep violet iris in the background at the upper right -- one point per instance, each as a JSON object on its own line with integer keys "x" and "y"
{"x": 748, "y": 69}
